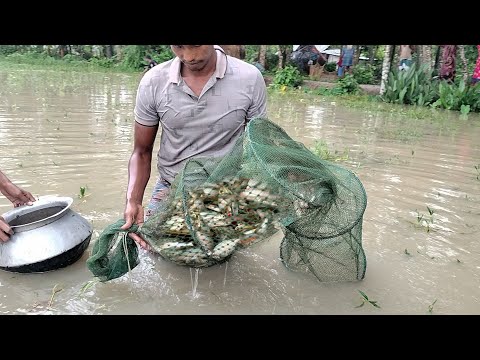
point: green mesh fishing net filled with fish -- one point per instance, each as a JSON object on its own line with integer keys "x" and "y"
{"x": 267, "y": 183}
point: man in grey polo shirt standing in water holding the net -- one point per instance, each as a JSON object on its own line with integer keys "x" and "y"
{"x": 202, "y": 99}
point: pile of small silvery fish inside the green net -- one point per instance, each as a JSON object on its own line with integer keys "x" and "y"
{"x": 205, "y": 228}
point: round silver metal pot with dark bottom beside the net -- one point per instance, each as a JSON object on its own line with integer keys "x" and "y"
{"x": 48, "y": 235}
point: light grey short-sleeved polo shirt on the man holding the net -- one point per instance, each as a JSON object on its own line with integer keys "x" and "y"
{"x": 207, "y": 125}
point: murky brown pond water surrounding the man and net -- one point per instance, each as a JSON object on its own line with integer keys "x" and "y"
{"x": 60, "y": 131}
